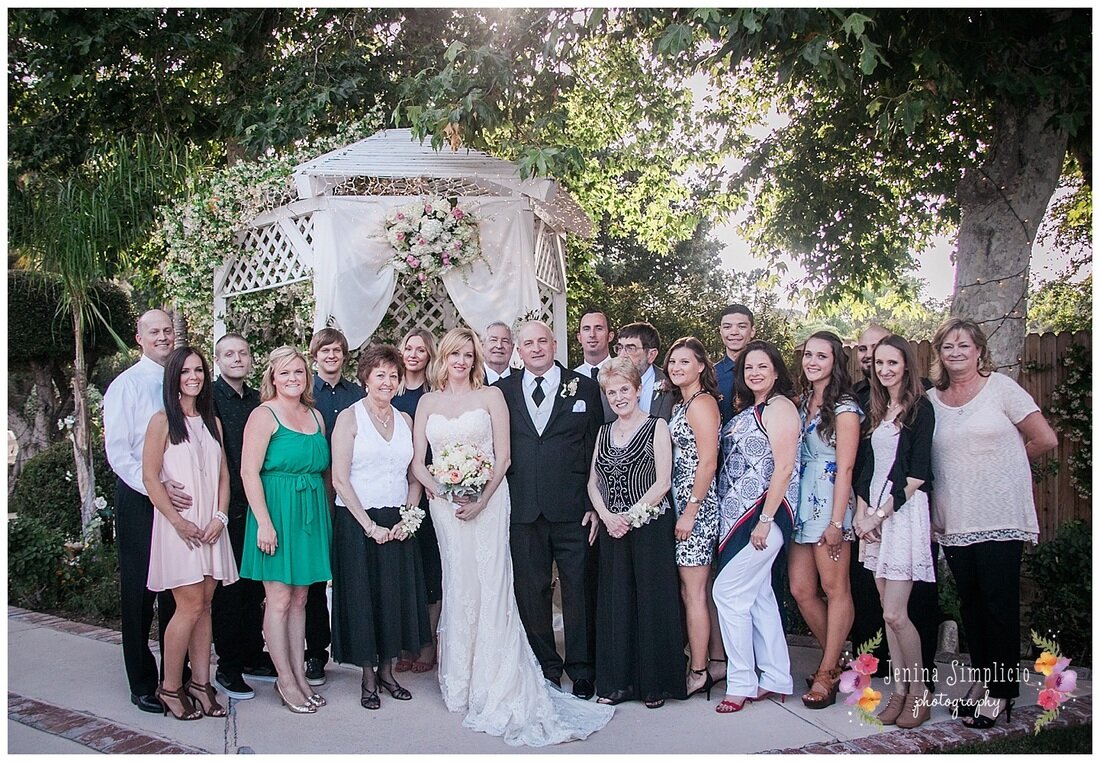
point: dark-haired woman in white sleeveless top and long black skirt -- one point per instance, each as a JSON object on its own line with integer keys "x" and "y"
{"x": 379, "y": 601}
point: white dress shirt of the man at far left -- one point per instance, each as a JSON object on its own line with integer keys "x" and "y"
{"x": 129, "y": 404}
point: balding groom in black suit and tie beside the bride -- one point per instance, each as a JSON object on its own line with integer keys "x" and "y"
{"x": 555, "y": 416}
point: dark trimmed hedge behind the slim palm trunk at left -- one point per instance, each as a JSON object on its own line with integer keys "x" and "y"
{"x": 40, "y": 325}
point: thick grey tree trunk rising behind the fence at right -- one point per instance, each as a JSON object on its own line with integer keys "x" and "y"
{"x": 1002, "y": 206}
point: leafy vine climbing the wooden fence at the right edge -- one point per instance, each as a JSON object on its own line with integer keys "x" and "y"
{"x": 1071, "y": 412}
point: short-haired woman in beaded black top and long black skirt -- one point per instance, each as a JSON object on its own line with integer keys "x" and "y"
{"x": 640, "y": 637}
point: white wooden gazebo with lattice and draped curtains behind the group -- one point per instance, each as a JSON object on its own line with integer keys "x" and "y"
{"x": 335, "y": 237}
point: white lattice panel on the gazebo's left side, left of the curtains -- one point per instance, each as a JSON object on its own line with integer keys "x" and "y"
{"x": 271, "y": 256}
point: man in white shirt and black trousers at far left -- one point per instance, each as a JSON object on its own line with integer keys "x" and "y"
{"x": 130, "y": 402}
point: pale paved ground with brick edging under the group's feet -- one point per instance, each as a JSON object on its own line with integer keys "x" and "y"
{"x": 68, "y": 694}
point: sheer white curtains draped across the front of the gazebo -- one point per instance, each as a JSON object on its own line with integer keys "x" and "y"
{"x": 355, "y": 283}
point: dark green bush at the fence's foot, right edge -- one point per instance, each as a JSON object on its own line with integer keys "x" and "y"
{"x": 1062, "y": 572}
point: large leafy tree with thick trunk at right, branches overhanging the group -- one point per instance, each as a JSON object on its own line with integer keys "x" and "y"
{"x": 897, "y": 125}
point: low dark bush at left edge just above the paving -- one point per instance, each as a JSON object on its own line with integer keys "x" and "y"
{"x": 35, "y": 551}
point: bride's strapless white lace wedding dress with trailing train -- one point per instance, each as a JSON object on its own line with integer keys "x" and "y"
{"x": 487, "y": 668}
